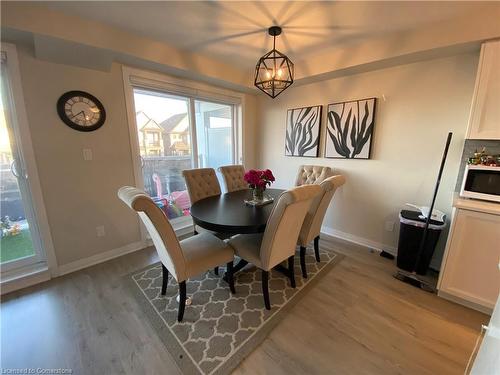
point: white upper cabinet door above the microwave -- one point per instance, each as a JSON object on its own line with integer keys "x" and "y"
{"x": 484, "y": 122}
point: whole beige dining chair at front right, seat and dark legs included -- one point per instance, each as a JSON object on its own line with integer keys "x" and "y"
{"x": 279, "y": 241}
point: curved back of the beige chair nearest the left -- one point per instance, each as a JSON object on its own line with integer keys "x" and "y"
{"x": 161, "y": 231}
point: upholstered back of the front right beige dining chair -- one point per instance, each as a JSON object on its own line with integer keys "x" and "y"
{"x": 282, "y": 230}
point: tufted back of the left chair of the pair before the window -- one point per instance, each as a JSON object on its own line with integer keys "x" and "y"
{"x": 201, "y": 183}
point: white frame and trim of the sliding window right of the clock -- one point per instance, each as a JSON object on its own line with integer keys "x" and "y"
{"x": 193, "y": 90}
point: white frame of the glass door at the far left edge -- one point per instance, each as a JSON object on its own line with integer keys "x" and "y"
{"x": 45, "y": 259}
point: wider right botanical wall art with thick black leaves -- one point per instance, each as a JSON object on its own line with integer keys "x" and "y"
{"x": 349, "y": 129}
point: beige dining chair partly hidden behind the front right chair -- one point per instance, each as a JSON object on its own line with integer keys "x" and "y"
{"x": 311, "y": 227}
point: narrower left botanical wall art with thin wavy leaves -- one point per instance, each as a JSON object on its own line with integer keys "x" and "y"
{"x": 302, "y": 131}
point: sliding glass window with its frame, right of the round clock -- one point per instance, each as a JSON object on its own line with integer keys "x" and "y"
{"x": 192, "y": 125}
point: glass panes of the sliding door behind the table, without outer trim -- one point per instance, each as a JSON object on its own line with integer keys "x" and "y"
{"x": 175, "y": 133}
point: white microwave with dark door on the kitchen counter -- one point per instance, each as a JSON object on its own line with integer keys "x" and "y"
{"x": 481, "y": 182}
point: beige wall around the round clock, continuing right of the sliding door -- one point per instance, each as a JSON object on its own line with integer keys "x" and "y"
{"x": 81, "y": 195}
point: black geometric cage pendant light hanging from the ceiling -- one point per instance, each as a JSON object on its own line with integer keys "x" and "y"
{"x": 274, "y": 70}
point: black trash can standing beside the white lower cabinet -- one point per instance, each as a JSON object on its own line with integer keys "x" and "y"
{"x": 411, "y": 231}
